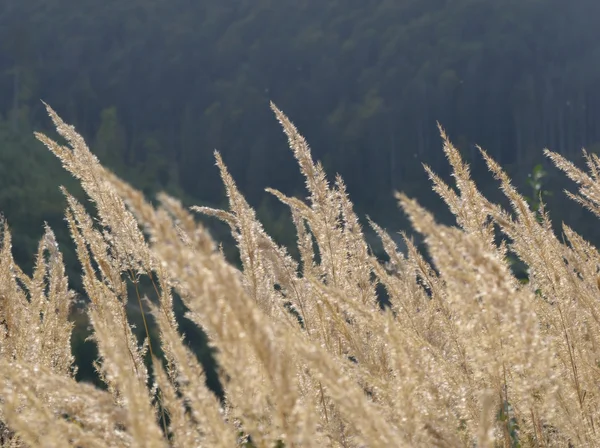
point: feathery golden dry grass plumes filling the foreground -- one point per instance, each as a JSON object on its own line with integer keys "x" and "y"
{"x": 465, "y": 355}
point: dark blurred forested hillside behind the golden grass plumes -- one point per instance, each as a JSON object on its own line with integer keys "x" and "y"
{"x": 156, "y": 85}
